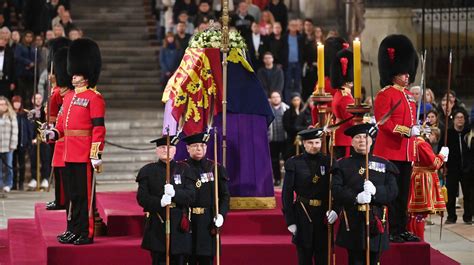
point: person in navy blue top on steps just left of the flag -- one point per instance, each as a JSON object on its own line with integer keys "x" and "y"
{"x": 169, "y": 57}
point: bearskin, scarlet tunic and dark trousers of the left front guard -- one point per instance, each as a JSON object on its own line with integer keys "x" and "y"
{"x": 83, "y": 129}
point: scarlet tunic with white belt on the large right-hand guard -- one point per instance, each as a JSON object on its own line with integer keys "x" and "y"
{"x": 393, "y": 139}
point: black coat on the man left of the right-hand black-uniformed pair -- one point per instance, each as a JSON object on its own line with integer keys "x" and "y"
{"x": 307, "y": 176}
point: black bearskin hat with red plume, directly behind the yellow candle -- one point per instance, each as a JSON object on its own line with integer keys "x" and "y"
{"x": 342, "y": 68}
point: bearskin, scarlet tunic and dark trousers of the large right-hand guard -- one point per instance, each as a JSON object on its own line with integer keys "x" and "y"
{"x": 394, "y": 140}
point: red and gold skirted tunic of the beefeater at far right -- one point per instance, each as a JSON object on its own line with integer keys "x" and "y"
{"x": 425, "y": 190}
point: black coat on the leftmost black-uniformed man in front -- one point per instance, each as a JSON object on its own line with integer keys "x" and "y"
{"x": 151, "y": 180}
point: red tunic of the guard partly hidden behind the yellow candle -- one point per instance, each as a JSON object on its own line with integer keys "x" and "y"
{"x": 339, "y": 108}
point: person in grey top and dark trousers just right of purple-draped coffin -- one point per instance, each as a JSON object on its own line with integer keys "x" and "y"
{"x": 277, "y": 136}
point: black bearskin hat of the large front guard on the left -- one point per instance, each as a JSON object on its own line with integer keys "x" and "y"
{"x": 84, "y": 59}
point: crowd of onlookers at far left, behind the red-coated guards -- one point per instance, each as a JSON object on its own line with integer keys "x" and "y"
{"x": 25, "y": 38}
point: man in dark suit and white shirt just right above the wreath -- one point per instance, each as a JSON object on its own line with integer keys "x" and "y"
{"x": 256, "y": 45}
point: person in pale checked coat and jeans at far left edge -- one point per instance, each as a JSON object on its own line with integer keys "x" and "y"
{"x": 8, "y": 142}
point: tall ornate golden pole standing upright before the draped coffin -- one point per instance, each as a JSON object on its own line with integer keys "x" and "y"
{"x": 224, "y": 50}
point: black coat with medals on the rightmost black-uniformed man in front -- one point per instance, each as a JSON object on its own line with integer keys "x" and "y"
{"x": 348, "y": 181}
